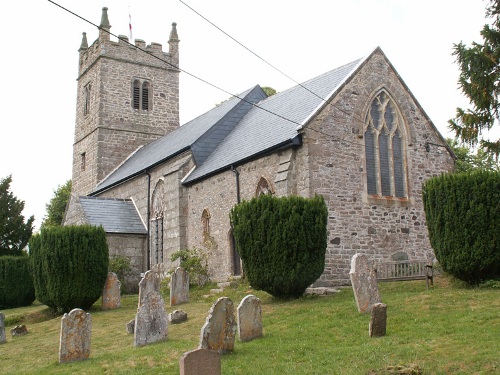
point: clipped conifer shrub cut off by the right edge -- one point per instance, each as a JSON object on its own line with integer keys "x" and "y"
{"x": 463, "y": 218}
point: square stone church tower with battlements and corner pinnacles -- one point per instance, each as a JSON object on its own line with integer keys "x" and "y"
{"x": 127, "y": 96}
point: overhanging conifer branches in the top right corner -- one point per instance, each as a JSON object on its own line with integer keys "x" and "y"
{"x": 479, "y": 80}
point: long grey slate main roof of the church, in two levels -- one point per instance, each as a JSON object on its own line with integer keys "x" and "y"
{"x": 236, "y": 131}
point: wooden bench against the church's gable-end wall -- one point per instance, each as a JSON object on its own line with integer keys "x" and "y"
{"x": 405, "y": 270}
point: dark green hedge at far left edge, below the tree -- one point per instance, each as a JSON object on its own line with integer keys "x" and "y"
{"x": 16, "y": 283}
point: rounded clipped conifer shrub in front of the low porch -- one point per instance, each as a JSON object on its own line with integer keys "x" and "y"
{"x": 70, "y": 266}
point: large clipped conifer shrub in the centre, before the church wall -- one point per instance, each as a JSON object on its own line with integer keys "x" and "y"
{"x": 281, "y": 241}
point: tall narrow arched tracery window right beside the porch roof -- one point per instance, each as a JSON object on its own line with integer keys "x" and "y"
{"x": 156, "y": 224}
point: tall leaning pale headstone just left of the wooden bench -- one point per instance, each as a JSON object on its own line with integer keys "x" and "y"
{"x": 364, "y": 283}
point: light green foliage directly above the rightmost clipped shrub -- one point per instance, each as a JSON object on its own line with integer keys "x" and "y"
{"x": 467, "y": 161}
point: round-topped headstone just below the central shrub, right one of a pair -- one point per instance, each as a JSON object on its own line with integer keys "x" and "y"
{"x": 249, "y": 318}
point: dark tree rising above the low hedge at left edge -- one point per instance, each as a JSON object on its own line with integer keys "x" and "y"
{"x": 14, "y": 231}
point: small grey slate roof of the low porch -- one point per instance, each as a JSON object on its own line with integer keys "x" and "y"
{"x": 115, "y": 215}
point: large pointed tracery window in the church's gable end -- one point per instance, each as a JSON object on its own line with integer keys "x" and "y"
{"x": 385, "y": 149}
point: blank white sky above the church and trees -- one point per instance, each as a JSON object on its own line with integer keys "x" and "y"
{"x": 302, "y": 39}
